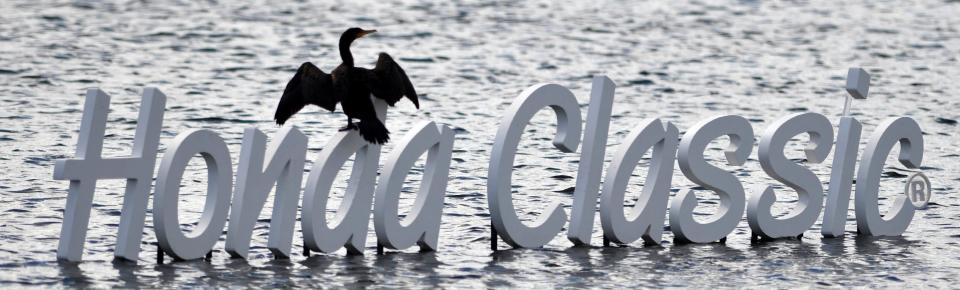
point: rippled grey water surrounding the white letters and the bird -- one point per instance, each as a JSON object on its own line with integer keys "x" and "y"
{"x": 223, "y": 66}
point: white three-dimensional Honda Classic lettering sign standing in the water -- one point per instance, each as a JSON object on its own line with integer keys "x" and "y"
{"x": 263, "y": 165}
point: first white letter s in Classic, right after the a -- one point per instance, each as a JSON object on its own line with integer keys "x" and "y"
{"x": 696, "y": 168}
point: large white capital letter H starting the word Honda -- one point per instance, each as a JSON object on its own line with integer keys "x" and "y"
{"x": 84, "y": 172}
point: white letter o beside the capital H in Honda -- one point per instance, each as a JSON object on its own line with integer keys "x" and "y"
{"x": 166, "y": 221}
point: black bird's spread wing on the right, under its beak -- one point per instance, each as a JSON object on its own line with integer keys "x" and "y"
{"x": 389, "y": 82}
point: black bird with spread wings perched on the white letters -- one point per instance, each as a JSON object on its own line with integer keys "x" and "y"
{"x": 352, "y": 87}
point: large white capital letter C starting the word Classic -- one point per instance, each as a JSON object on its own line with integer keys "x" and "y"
{"x": 499, "y": 197}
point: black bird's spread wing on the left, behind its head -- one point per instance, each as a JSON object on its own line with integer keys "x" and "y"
{"x": 309, "y": 86}
